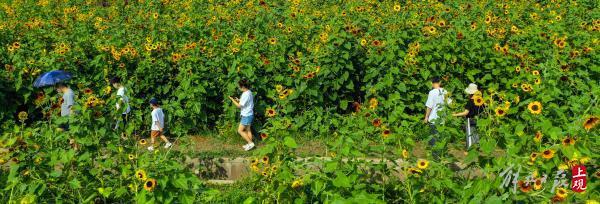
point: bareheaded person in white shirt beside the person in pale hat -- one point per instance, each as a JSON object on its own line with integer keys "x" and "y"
{"x": 436, "y": 100}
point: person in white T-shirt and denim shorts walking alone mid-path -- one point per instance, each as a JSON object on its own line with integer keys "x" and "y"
{"x": 246, "y": 104}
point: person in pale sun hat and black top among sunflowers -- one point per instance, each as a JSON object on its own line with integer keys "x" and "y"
{"x": 474, "y": 107}
